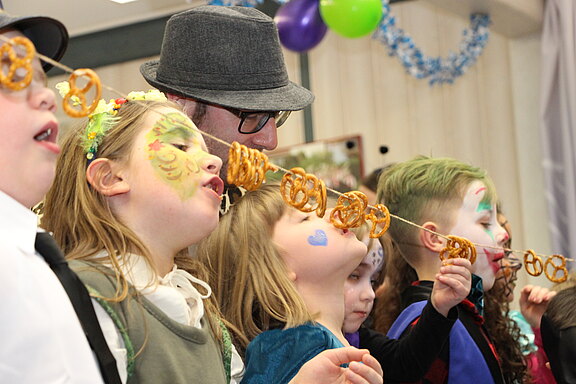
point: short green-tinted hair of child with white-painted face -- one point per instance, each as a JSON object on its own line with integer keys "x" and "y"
{"x": 427, "y": 189}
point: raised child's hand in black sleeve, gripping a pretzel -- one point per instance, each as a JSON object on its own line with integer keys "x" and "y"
{"x": 452, "y": 284}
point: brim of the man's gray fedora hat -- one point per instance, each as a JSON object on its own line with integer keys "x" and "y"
{"x": 291, "y": 97}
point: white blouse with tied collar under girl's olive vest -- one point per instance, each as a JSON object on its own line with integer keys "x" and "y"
{"x": 174, "y": 294}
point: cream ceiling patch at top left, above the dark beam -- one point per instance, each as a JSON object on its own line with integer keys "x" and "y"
{"x": 85, "y": 16}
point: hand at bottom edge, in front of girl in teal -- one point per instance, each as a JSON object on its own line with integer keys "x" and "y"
{"x": 325, "y": 368}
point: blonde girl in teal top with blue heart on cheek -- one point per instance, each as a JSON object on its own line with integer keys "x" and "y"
{"x": 280, "y": 279}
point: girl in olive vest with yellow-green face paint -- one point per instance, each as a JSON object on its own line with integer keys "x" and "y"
{"x": 132, "y": 192}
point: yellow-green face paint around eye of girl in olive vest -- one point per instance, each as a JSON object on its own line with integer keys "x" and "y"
{"x": 174, "y": 149}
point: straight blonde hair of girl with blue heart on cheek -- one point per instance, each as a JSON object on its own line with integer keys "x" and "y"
{"x": 250, "y": 277}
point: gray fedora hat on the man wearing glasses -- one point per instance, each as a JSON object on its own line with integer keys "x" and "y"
{"x": 228, "y": 56}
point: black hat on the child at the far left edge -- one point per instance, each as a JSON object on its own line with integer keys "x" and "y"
{"x": 49, "y": 36}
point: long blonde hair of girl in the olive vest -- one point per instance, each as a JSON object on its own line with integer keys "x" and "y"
{"x": 81, "y": 218}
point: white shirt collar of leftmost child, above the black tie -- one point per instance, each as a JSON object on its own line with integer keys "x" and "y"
{"x": 18, "y": 224}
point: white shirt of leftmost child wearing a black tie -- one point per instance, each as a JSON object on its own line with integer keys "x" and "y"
{"x": 41, "y": 340}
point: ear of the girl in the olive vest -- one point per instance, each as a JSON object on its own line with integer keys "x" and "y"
{"x": 105, "y": 177}
